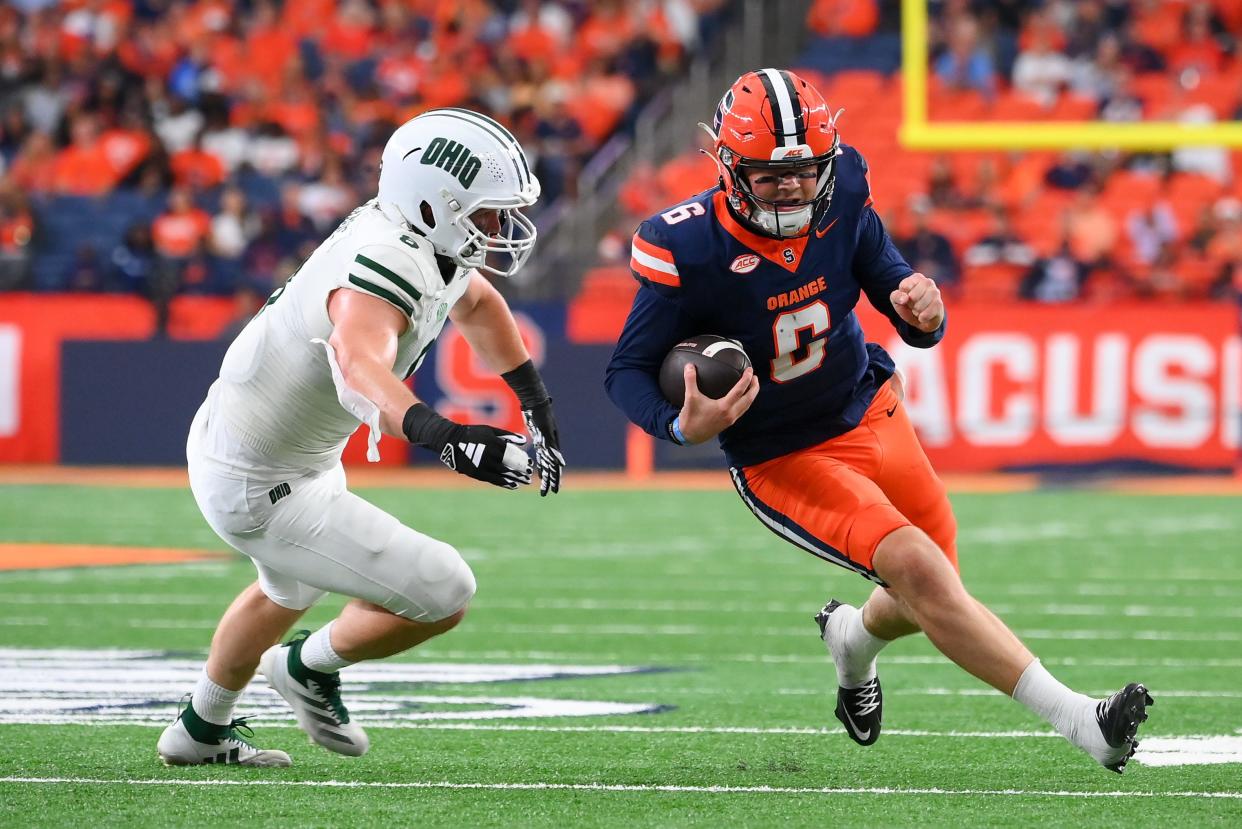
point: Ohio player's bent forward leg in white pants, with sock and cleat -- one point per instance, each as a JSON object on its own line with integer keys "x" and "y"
{"x": 407, "y": 589}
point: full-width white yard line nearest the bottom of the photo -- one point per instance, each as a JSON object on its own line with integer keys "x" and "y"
{"x": 618, "y": 787}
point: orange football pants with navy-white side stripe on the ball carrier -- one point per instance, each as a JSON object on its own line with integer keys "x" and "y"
{"x": 840, "y": 499}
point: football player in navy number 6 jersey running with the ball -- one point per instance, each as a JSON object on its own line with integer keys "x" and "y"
{"x": 819, "y": 446}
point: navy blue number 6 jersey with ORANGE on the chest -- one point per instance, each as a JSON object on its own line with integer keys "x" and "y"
{"x": 789, "y": 303}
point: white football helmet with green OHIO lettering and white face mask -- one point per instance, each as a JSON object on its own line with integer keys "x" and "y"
{"x": 440, "y": 168}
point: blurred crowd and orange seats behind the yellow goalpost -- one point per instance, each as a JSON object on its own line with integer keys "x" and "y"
{"x": 1044, "y": 227}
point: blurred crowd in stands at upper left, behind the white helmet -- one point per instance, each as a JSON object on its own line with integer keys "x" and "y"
{"x": 204, "y": 146}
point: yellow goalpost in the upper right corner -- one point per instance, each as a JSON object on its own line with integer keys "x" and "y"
{"x": 920, "y": 134}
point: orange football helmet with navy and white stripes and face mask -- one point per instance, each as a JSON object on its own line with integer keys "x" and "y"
{"x": 774, "y": 120}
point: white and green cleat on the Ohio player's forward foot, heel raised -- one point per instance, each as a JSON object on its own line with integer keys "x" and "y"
{"x": 315, "y": 698}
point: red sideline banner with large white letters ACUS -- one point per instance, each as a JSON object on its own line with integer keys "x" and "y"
{"x": 1015, "y": 387}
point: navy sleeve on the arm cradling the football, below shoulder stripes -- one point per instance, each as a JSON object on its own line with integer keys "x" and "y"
{"x": 655, "y": 325}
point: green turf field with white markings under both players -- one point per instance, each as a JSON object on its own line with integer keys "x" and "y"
{"x": 738, "y": 729}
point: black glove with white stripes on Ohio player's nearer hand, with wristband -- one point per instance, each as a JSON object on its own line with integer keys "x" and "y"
{"x": 483, "y": 453}
